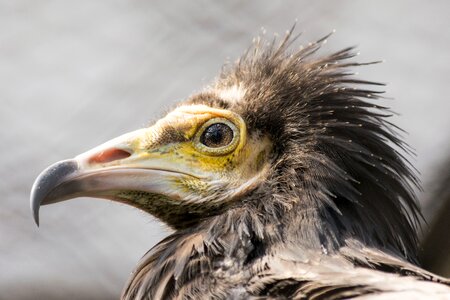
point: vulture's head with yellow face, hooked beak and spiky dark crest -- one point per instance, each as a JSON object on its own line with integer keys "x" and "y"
{"x": 289, "y": 137}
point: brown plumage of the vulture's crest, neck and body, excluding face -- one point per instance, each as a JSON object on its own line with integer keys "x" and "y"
{"x": 334, "y": 218}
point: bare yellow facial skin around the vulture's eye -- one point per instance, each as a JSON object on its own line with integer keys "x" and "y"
{"x": 217, "y": 174}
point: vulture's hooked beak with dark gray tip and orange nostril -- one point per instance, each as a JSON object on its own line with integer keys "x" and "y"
{"x": 110, "y": 170}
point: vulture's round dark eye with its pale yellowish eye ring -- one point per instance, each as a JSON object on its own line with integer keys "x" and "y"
{"x": 217, "y": 136}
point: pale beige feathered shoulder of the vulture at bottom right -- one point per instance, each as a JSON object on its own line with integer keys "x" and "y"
{"x": 352, "y": 272}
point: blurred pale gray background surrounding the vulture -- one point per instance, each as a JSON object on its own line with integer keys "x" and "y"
{"x": 74, "y": 74}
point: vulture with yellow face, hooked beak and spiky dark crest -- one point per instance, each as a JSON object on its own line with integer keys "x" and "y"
{"x": 281, "y": 179}
